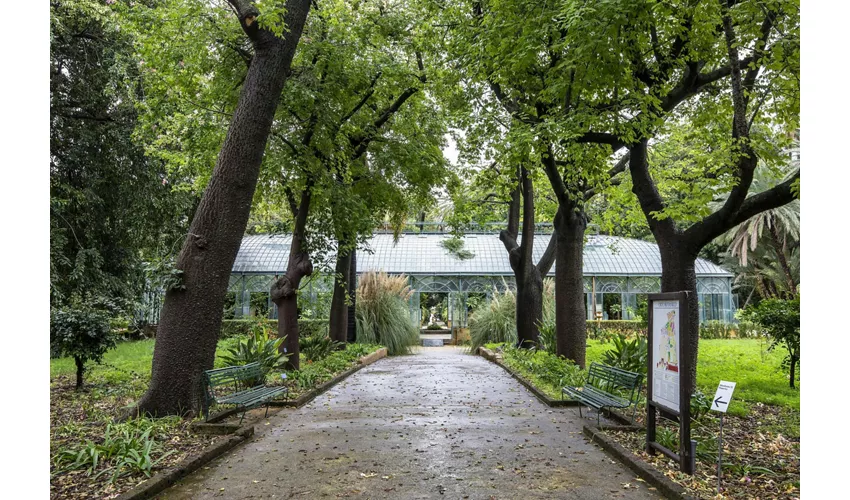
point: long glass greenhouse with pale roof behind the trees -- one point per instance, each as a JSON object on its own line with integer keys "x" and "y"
{"x": 617, "y": 273}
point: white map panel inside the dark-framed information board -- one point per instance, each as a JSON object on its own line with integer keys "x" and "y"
{"x": 665, "y": 346}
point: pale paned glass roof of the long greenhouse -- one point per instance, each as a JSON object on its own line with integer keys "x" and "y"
{"x": 422, "y": 254}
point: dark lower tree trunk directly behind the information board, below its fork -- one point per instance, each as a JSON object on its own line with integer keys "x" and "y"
{"x": 678, "y": 274}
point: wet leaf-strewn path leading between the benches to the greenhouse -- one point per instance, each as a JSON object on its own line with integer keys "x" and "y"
{"x": 439, "y": 424}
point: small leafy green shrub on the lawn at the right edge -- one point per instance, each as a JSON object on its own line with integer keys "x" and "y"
{"x": 781, "y": 320}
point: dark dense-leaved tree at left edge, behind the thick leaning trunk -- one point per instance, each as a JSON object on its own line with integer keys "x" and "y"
{"x": 110, "y": 207}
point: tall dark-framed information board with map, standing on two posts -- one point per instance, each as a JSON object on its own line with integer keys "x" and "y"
{"x": 669, "y": 374}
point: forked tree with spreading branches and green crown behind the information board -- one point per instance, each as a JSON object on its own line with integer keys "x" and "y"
{"x": 734, "y": 125}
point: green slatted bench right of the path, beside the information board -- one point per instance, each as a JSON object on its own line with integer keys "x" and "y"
{"x": 606, "y": 387}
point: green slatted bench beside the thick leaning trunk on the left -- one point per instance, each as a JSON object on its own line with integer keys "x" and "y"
{"x": 249, "y": 389}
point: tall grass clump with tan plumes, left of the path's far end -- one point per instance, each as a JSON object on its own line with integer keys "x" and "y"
{"x": 383, "y": 316}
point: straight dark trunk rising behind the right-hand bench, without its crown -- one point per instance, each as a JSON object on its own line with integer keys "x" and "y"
{"x": 570, "y": 314}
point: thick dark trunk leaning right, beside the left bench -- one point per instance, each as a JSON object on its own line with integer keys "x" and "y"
{"x": 191, "y": 315}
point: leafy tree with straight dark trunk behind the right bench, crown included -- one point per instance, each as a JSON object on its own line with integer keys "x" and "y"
{"x": 538, "y": 80}
